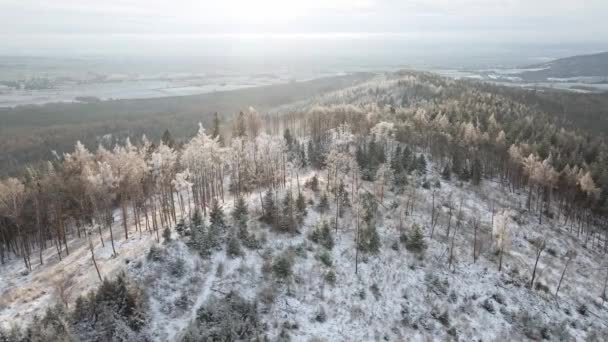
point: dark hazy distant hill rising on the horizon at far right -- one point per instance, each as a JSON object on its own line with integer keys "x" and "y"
{"x": 595, "y": 65}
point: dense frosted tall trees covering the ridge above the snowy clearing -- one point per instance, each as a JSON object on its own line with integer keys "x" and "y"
{"x": 384, "y": 135}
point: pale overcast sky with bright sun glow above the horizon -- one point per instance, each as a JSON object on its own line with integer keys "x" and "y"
{"x": 191, "y": 26}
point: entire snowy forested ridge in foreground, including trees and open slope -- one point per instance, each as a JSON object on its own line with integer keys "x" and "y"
{"x": 407, "y": 207}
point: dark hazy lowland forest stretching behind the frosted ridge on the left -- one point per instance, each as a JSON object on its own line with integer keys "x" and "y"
{"x": 30, "y": 133}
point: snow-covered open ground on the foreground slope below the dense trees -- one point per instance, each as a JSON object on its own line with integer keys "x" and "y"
{"x": 395, "y": 295}
